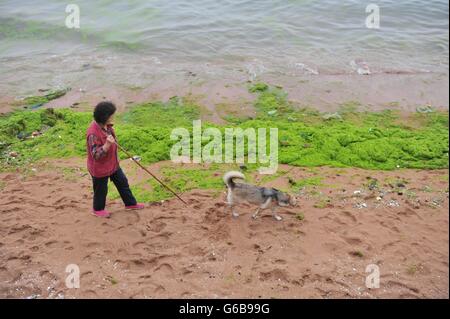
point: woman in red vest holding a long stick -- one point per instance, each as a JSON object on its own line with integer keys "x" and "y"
{"x": 103, "y": 160}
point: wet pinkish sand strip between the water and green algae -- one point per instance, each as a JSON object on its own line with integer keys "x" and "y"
{"x": 375, "y": 92}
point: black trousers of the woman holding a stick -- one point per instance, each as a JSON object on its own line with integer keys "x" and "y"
{"x": 101, "y": 189}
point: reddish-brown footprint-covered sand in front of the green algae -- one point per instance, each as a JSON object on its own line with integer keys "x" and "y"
{"x": 168, "y": 250}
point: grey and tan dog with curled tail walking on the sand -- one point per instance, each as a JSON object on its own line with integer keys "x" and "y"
{"x": 262, "y": 196}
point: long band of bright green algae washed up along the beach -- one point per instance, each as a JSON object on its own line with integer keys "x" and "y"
{"x": 370, "y": 140}
